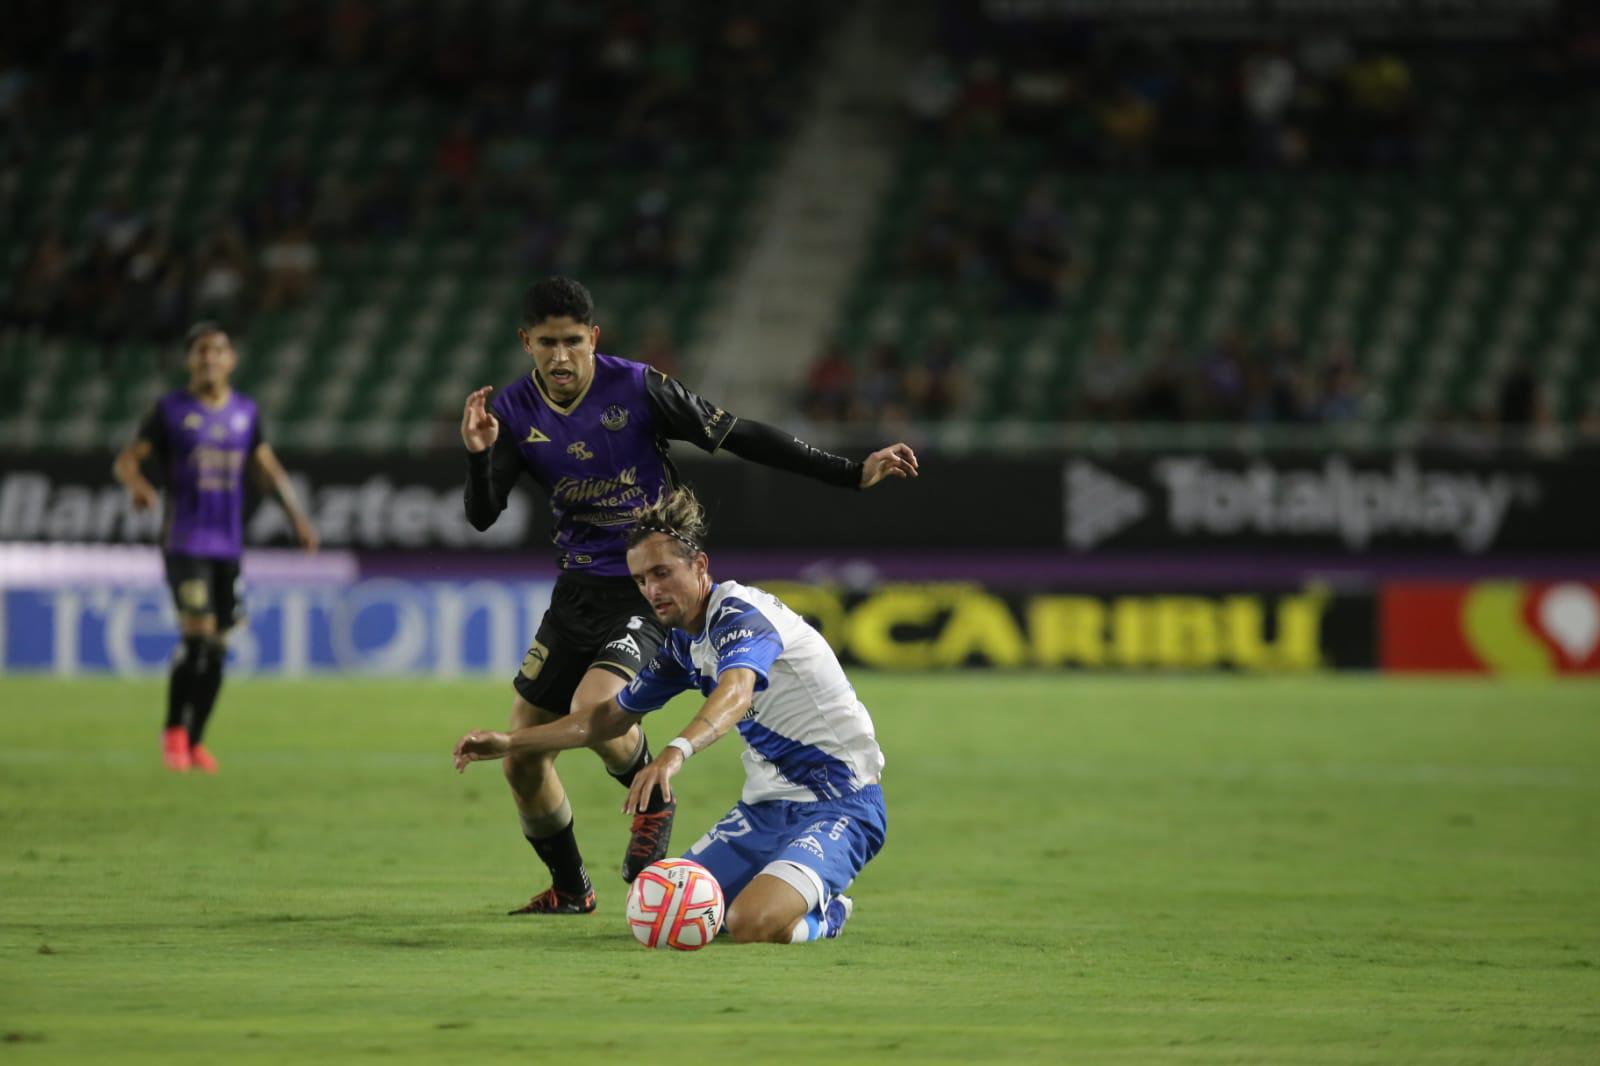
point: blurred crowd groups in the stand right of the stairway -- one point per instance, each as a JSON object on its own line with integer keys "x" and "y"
{"x": 1087, "y": 95}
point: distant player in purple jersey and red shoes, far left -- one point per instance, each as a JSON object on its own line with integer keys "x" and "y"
{"x": 206, "y": 436}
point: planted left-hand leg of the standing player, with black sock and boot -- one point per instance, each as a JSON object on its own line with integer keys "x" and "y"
{"x": 548, "y": 822}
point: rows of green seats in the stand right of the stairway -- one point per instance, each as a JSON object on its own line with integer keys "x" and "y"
{"x": 1441, "y": 281}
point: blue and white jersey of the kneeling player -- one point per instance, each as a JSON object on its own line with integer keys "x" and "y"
{"x": 807, "y": 735}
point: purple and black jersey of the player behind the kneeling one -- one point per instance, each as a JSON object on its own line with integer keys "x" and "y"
{"x": 602, "y": 459}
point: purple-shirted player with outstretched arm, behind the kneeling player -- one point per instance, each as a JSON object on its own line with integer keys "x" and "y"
{"x": 593, "y": 431}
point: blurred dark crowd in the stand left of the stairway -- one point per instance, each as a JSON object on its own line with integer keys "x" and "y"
{"x": 654, "y": 82}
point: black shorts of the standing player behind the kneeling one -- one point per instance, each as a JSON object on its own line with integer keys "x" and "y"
{"x": 594, "y": 623}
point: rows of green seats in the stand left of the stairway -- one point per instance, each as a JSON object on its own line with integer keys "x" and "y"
{"x": 398, "y": 329}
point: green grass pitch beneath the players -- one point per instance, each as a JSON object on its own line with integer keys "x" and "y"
{"x": 1081, "y": 870}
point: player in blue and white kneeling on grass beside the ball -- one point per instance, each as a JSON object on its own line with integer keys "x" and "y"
{"x": 812, "y": 812}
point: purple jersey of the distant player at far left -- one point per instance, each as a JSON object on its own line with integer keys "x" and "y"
{"x": 204, "y": 452}
